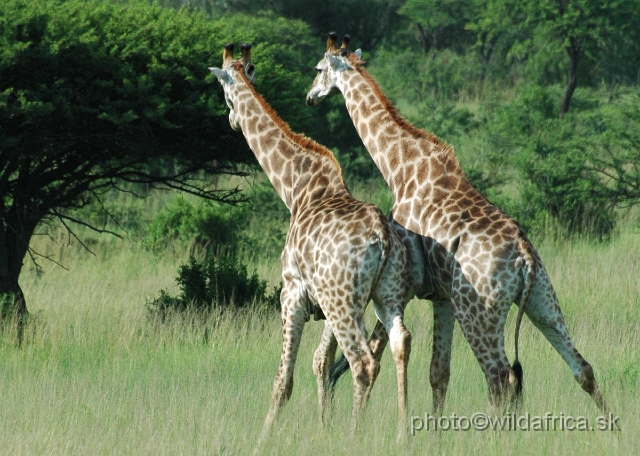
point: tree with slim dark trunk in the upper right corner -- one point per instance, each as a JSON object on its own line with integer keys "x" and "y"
{"x": 584, "y": 30}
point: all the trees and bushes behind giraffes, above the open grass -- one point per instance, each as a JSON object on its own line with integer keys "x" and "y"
{"x": 539, "y": 99}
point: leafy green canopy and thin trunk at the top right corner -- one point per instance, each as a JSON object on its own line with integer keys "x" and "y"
{"x": 574, "y": 40}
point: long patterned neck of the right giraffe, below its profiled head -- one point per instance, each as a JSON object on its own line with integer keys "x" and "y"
{"x": 416, "y": 165}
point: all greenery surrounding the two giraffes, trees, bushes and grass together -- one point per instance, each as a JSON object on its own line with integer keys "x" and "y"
{"x": 110, "y": 122}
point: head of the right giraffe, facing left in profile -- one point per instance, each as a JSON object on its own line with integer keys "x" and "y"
{"x": 336, "y": 60}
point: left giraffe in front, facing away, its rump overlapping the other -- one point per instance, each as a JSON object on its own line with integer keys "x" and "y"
{"x": 339, "y": 252}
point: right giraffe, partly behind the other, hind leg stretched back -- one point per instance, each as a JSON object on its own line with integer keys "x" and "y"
{"x": 473, "y": 255}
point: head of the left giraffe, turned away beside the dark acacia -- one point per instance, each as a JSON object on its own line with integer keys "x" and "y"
{"x": 225, "y": 75}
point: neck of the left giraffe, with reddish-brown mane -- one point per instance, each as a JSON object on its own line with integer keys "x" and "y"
{"x": 300, "y": 169}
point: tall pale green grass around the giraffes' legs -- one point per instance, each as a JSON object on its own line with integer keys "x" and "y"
{"x": 96, "y": 377}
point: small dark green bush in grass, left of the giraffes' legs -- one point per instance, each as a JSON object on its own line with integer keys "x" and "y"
{"x": 214, "y": 283}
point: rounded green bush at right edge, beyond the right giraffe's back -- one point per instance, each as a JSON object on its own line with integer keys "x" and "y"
{"x": 576, "y": 171}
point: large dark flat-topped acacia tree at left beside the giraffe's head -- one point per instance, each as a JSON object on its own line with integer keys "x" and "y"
{"x": 96, "y": 94}
